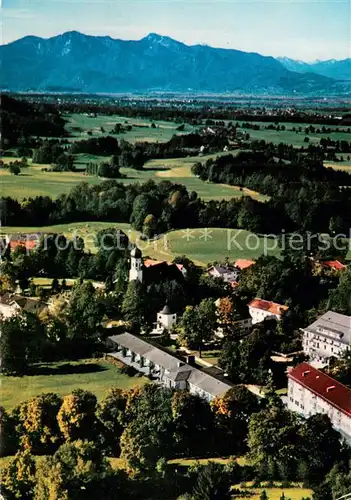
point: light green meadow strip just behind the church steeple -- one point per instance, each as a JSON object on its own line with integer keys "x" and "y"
{"x": 200, "y": 245}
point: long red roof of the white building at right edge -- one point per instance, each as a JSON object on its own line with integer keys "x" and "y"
{"x": 323, "y": 386}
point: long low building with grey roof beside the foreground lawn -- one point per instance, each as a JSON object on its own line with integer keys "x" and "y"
{"x": 169, "y": 370}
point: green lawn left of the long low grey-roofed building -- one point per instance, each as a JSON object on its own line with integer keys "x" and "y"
{"x": 94, "y": 375}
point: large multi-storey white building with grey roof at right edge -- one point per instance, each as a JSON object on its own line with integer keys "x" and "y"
{"x": 329, "y": 335}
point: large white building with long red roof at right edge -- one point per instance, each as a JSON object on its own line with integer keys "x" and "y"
{"x": 311, "y": 391}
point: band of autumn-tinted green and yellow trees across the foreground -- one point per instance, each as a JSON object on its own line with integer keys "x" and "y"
{"x": 147, "y": 426}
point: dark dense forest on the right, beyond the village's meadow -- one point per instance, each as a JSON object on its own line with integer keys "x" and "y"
{"x": 308, "y": 194}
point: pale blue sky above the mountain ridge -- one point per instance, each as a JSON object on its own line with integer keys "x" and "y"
{"x": 301, "y": 29}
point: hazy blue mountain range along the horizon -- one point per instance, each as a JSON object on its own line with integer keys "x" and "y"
{"x": 100, "y": 64}
